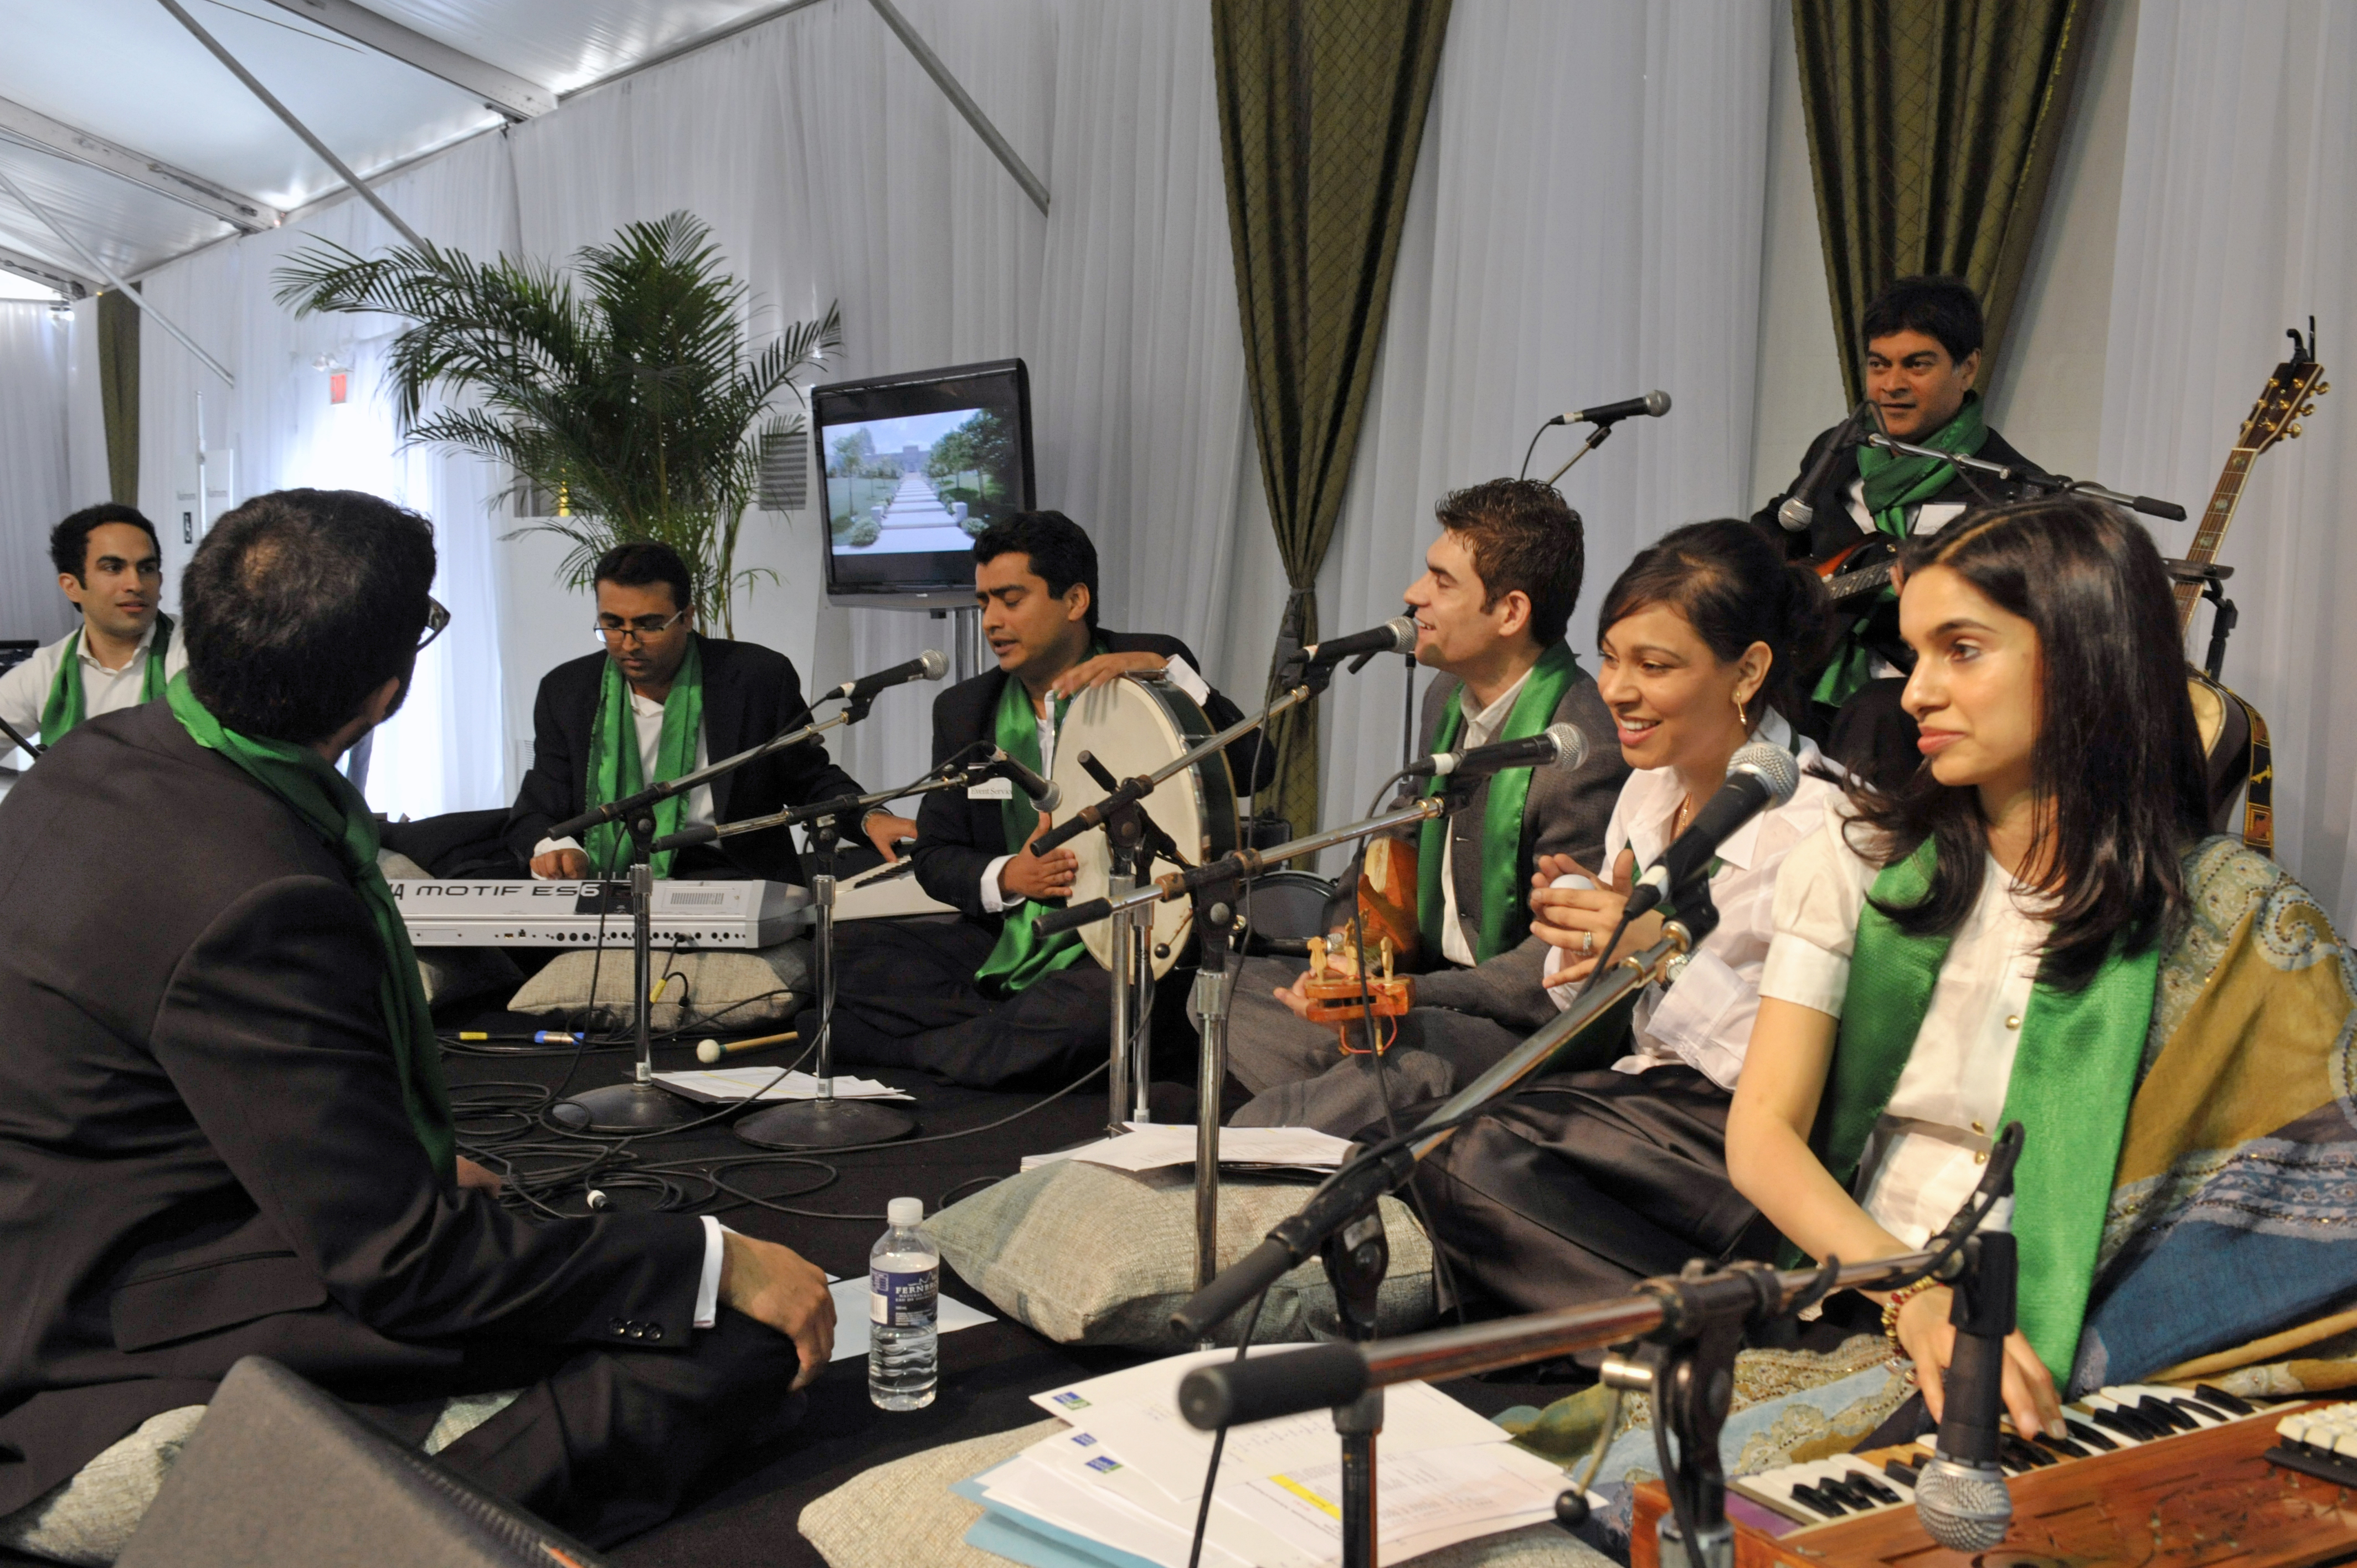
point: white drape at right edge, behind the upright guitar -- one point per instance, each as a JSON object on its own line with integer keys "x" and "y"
{"x": 2236, "y": 223}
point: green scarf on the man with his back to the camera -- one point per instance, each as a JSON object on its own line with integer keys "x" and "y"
{"x": 326, "y": 801}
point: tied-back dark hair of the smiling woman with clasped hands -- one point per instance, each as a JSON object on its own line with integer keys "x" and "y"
{"x": 1736, "y": 588}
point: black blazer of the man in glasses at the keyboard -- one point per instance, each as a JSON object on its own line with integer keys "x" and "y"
{"x": 751, "y": 694}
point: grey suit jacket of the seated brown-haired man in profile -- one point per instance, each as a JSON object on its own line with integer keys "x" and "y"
{"x": 1564, "y": 815}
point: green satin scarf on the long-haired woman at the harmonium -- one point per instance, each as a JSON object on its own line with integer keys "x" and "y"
{"x": 2071, "y": 1088}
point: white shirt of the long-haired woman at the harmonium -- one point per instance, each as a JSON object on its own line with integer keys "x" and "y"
{"x": 1927, "y": 1154}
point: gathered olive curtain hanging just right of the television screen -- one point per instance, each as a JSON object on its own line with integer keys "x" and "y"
{"x": 1321, "y": 112}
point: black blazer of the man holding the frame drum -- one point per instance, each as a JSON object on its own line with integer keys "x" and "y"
{"x": 958, "y": 838}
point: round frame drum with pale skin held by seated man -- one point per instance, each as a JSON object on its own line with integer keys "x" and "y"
{"x": 1137, "y": 727}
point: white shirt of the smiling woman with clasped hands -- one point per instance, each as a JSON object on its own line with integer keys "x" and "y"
{"x": 1705, "y": 1017}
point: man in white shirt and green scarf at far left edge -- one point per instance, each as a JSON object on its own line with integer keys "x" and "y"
{"x": 121, "y": 654}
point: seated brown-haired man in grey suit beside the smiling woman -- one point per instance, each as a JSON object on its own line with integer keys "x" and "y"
{"x": 1493, "y": 605}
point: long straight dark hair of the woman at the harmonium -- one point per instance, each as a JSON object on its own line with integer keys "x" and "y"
{"x": 2115, "y": 744}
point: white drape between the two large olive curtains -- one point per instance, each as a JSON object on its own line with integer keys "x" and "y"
{"x": 1585, "y": 225}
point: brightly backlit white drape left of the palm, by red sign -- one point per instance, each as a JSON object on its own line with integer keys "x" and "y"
{"x": 444, "y": 751}
